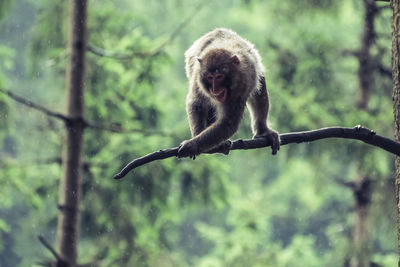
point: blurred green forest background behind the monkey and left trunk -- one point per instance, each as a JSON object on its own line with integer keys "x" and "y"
{"x": 326, "y": 203}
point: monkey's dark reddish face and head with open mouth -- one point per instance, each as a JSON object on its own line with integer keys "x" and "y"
{"x": 217, "y": 68}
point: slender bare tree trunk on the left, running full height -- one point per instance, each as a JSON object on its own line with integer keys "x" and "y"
{"x": 70, "y": 184}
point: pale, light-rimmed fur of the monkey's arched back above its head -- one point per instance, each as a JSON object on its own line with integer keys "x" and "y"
{"x": 221, "y": 38}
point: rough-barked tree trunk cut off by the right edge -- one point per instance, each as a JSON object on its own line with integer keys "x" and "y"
{"x": 395, "y": 6}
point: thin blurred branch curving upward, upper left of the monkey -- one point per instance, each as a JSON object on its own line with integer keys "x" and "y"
{"x": 143, "y": 54}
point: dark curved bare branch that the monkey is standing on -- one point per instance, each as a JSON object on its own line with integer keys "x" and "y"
{"x": 357, "y": 133}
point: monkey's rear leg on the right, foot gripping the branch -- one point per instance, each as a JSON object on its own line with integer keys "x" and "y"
{"x": 258, "y": 104}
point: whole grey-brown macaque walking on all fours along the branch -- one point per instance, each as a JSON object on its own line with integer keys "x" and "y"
{"x": 225, "y": 74}
